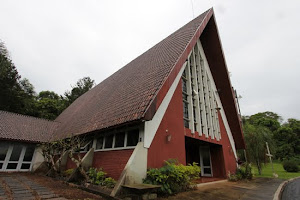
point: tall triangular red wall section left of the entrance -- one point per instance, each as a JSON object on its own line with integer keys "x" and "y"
{"x": 160, "y": 149}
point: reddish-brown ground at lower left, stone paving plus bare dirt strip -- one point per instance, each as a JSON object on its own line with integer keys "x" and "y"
{"x": 26, "y": 186}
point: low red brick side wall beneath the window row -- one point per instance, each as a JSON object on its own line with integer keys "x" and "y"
{"x": 112, "y": 162}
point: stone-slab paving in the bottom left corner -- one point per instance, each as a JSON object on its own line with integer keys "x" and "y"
{"x": 21, "y": 188}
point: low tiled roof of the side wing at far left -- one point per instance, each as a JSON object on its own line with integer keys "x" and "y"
{"x": 25, "y": 128}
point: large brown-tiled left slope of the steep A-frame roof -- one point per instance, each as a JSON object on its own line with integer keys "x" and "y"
{"x": 127, "y": 94}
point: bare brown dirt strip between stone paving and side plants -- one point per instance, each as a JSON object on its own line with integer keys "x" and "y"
{"x": 61, "y": 188}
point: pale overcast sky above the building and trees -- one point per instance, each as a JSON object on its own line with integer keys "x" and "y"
{"x": 55, "y": 43}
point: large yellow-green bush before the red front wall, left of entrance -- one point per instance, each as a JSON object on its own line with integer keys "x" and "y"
{"x": 173, "y": 177}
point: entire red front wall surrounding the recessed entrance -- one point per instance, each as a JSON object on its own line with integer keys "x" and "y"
{"x": 223, "y": 159}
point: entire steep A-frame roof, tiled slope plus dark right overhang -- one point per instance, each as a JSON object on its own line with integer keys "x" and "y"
{"x": 135, "y": 91}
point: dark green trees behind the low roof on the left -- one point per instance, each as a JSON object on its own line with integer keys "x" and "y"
{"x": 18, "y": 95}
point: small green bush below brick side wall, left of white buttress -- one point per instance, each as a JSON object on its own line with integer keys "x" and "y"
{"x": 98, "y": 177}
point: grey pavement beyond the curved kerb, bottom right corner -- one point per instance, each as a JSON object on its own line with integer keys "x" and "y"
{"x": 292, "y": 190}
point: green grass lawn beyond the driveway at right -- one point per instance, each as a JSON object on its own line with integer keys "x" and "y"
{"x": 267, "y": 171}
